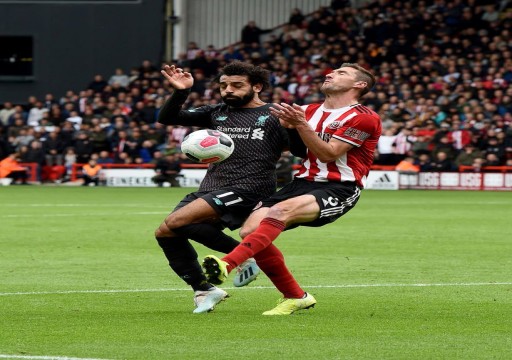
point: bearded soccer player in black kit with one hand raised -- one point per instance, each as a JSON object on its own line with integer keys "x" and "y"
{"x": 230, "y": 189}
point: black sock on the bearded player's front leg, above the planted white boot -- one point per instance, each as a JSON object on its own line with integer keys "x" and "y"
{"x": 182, "y": 259}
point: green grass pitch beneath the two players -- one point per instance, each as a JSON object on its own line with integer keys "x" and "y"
{"x": 405, "y": 275}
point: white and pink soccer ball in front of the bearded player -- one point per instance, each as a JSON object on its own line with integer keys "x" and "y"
{"x": 207, "y": 146}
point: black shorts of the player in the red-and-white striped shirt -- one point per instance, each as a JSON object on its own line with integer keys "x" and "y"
{"x": 334, "y": 199}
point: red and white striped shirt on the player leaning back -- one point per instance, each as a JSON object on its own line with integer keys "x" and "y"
{"x": 356, "y": 125}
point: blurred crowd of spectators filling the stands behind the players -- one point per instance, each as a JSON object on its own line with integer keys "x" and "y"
{"x": 444, "y": 89}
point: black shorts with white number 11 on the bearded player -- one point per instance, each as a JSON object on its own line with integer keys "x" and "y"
{"x": 232, "y": 205}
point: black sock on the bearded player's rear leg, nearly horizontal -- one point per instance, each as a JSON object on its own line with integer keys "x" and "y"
{"x": 209, "y": 235}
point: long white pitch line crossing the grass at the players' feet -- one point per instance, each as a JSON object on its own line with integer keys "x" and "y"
{"x": 348, "y": 286}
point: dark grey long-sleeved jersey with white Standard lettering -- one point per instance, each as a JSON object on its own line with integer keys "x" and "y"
{"x": 259, "y": 140}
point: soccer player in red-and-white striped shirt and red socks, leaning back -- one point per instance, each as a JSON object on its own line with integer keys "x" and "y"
{"x": 340, "y": 135}
